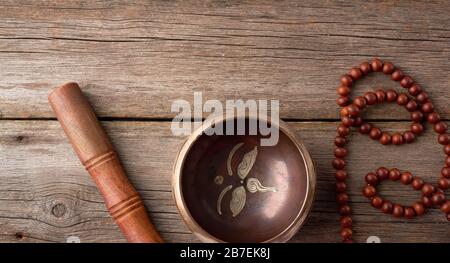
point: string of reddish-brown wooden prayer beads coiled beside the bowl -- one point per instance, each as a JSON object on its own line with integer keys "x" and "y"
{"x": 421, "y": 109}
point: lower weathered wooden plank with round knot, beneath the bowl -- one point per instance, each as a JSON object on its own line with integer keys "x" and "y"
{"x": 46, "y": 195}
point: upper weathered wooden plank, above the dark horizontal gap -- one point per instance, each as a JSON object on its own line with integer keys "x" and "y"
{"x": 160, "y": 51}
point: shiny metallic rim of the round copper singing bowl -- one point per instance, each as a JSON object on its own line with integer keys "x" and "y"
{"x": 201, "y": 233}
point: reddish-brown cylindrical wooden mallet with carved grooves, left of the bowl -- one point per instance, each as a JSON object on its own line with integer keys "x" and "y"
{"x": 96, "y": 153}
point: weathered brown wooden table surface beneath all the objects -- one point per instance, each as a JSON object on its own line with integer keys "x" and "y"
{"x": 132, "y": 60}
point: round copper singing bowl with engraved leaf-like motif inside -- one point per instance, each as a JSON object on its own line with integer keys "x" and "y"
{"x": 228, "y": 188}
